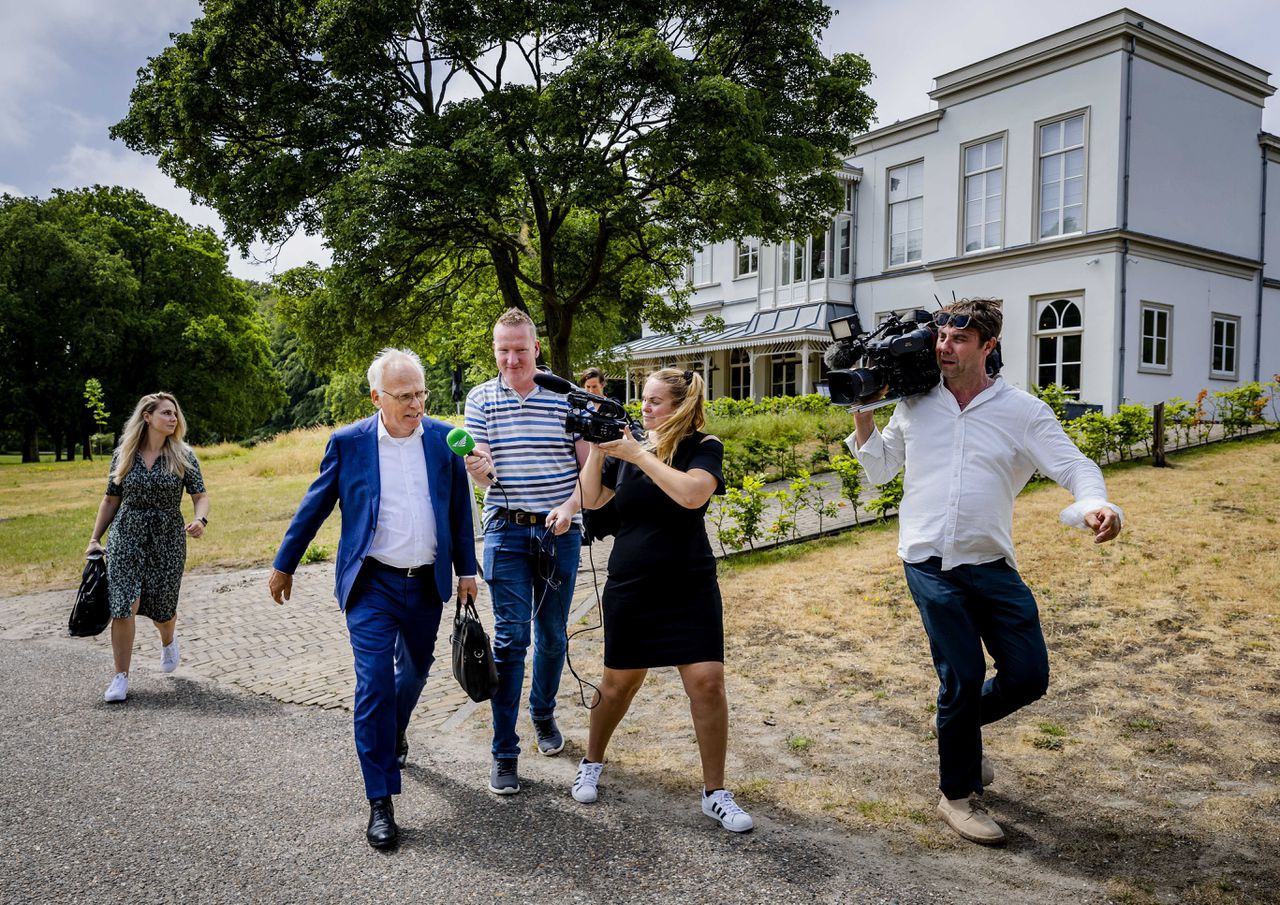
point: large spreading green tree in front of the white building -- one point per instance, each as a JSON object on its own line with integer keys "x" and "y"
{"x": 560, "y": 158}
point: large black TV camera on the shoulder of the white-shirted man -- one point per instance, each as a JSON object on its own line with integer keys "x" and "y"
{"x": 898, "y": 358}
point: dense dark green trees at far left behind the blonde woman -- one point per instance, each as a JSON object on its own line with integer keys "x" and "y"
{"x": 102, "y": 285}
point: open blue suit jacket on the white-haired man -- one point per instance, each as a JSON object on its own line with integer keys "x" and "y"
{"x": 350, "y": 478}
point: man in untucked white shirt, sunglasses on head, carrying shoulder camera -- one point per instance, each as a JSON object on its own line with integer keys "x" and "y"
{"x": 970, "y": 446}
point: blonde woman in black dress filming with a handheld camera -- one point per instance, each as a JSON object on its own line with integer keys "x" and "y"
{"x": 662, "y": 604}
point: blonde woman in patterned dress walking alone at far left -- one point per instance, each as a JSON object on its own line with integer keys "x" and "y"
{"x": 148, "y": 547}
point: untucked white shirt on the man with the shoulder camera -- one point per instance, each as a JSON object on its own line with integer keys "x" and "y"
{"x": 966, "y": 467}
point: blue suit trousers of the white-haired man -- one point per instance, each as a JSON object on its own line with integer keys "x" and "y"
{"x": 392, "y": 623}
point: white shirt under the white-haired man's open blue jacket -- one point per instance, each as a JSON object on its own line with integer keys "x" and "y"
{"x": 405, "y": 536}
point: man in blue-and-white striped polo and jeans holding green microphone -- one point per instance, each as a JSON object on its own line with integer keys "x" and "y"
{"x": 533, "y": 536}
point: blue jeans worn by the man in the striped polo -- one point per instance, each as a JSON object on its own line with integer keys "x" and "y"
{"x": 531, "y": 574}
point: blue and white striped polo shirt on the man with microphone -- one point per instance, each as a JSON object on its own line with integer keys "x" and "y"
{"x": 533, "y": 458}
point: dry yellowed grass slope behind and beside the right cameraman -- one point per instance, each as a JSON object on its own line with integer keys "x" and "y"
{"x": 1151, "y": 766}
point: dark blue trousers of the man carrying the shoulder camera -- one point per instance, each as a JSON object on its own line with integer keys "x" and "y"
{"x": 964, "y": 609}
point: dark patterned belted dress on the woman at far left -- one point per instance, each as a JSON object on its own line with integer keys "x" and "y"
{"x": 147, "y": 549}
